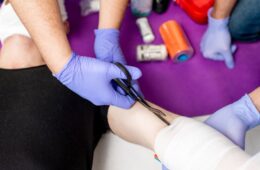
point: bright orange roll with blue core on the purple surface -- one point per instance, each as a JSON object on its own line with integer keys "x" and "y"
{"x": 177, "y": 43}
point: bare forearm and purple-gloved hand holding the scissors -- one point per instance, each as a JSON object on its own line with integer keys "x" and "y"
{"x": 88, "y": 77}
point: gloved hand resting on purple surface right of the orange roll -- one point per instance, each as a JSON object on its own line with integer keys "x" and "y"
{"x": 216, "y": 42}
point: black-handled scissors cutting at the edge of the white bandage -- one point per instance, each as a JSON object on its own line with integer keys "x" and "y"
{"x": 126, "y": 85}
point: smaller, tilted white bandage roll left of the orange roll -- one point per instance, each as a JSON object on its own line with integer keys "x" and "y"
{"x": 145, "y": 29}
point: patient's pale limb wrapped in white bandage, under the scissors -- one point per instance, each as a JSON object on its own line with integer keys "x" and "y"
{"x": 185, "y": 144}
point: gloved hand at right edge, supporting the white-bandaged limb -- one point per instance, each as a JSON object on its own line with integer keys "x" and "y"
{"x": 235, "y": 119}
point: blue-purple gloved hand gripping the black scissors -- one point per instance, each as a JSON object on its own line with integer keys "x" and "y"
{"x": 91, "y": 79}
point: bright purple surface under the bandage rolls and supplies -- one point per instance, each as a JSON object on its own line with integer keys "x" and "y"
{"x": 196, "y": 87}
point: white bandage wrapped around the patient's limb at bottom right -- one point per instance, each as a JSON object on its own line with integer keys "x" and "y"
{"x": 190, "y": 145}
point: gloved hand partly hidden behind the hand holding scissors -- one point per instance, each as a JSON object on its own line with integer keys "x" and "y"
{"x": 107, "y": 46}
